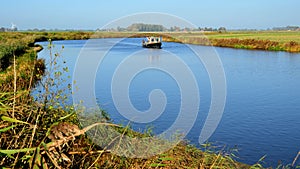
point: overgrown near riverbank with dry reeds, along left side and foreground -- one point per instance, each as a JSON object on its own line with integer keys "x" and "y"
{"x": 42, "y": 134}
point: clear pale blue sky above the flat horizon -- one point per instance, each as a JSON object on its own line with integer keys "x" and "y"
{"x": 92, "y": 14}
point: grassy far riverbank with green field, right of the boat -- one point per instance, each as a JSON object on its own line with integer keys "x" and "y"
{"x": 288, "y": 41}
